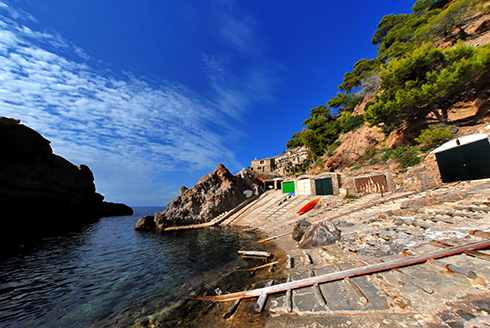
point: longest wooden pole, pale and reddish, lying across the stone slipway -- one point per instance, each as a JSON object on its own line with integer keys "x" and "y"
{"x": 373, "y": 268}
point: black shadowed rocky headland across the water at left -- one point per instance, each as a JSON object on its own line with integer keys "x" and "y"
{"x": 43, "y": 189}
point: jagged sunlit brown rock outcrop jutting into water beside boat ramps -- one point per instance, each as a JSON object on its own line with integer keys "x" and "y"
{"x": 215, "y": 193}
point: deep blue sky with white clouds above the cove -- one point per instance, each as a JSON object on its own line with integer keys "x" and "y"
{"x": 154, "y": 94}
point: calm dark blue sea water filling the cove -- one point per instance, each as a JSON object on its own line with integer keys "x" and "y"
{"x": 108, "y": 274}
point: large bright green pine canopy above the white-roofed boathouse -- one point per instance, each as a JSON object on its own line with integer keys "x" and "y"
{"x": 428, "y": 81}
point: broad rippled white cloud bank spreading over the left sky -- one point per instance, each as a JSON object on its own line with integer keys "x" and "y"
{"x": 122, "y": 126}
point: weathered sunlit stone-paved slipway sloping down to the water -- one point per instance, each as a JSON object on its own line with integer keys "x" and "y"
{"x": 378, "y": 229}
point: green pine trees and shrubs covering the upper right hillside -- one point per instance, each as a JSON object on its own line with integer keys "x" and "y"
{"x": 422, "y": 69}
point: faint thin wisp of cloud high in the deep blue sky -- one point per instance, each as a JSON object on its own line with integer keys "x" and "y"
{"x": 253, "y": 81}
